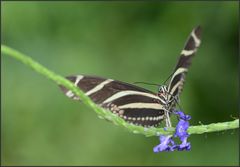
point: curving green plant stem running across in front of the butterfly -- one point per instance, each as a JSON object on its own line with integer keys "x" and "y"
{"x": 214, "y": 127}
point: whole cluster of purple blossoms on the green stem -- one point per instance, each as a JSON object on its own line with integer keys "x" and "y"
{"x": 167, "y": 143}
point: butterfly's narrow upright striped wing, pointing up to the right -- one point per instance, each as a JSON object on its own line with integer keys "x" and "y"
{"x": 177, "y": 80}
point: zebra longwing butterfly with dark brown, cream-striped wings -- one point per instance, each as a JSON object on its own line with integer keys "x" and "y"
{"x": 135, "y": 104}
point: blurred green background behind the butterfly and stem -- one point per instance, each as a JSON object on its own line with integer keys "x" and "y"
{"x": 128, "y": 41}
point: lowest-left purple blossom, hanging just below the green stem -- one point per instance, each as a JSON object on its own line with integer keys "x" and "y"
{"x": 164, "y": 145}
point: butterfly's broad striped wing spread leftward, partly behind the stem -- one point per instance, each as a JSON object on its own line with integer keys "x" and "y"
{"x": 132, "y": 103}
